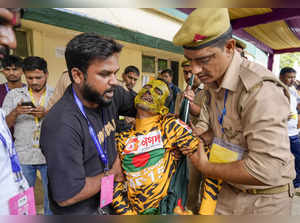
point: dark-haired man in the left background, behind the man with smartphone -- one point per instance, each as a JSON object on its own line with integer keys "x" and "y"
{"x": 12, "y": 70}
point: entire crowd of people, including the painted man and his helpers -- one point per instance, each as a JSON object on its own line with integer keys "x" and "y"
{"x": 103, "y": 149}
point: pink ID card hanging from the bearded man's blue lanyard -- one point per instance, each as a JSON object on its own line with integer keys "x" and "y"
{"x": 107, "y": 189}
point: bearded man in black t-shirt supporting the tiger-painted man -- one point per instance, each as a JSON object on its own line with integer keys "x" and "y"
{"x": 74, "y": 167}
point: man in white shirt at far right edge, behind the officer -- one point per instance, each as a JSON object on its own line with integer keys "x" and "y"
{"x": 288, "y": 77}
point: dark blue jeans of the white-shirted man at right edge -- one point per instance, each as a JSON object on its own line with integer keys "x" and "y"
{"x": 295, "y": 149}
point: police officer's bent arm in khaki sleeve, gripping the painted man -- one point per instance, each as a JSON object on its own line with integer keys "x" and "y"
{"x": 264, "y": 117}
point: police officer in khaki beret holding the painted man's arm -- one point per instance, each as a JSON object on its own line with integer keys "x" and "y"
{"x": 247, "y": 109}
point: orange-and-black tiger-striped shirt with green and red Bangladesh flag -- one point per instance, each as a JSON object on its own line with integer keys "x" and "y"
{"x": 148, "y": 162}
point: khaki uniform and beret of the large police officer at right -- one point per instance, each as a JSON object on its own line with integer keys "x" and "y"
{"x": 257, "y": 109}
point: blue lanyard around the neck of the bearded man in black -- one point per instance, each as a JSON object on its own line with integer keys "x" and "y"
{"x": 93, "y": 134}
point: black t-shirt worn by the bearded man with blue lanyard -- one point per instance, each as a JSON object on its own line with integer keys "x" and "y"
{"x": 70, "y": 152}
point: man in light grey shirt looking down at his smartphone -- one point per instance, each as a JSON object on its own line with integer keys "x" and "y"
{"x": 25, "y": 110}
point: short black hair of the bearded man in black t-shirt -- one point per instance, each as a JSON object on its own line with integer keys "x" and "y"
{"x": 86, "y": 47}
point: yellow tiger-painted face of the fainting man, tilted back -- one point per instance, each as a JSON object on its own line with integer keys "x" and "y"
{"x": 152, "y": 97}
